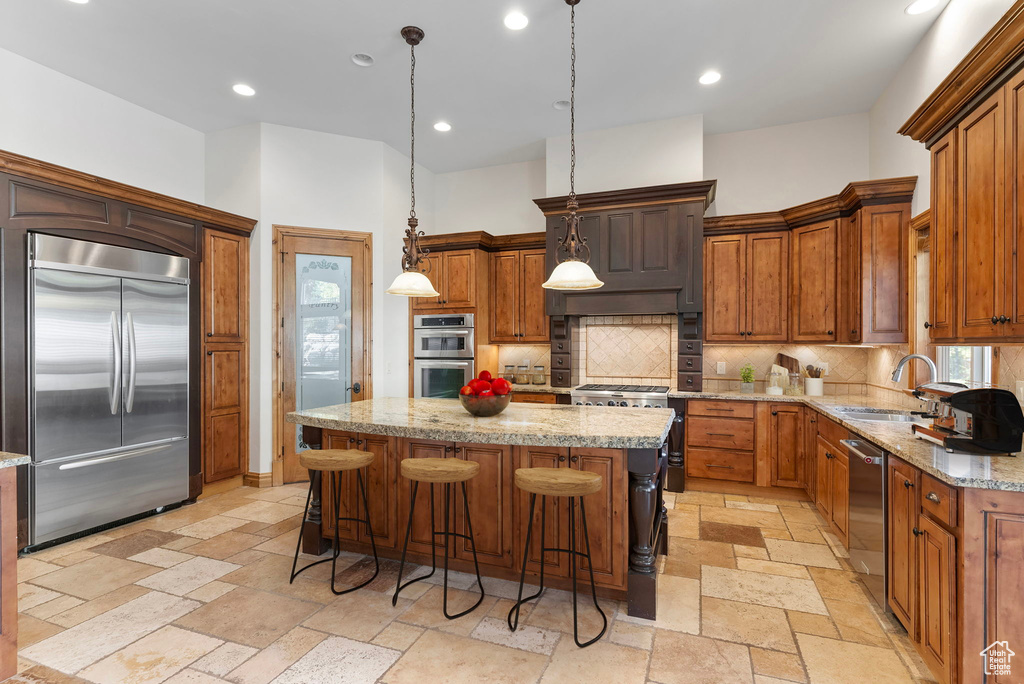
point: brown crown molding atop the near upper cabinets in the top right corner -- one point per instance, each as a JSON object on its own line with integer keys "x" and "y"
{"x": 1000, "y": 50}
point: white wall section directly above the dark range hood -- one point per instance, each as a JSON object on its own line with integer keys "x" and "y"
{"x": 657, "y": 153}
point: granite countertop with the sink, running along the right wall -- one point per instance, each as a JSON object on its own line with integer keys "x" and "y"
{"x": 958, "y": 469}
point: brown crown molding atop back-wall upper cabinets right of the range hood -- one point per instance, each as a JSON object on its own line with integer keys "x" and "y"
{"x": 854, "y": 197}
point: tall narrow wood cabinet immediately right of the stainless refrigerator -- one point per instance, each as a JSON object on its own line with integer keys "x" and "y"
{"x": 226, "y": 369}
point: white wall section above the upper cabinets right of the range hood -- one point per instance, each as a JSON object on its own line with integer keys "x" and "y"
{"x": 779, "y": 167}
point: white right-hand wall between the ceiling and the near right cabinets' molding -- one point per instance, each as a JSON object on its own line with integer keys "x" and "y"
{"x": 955, "y": 34}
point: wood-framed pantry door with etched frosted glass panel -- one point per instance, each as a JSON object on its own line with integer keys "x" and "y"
{"x": 324, "y": 305}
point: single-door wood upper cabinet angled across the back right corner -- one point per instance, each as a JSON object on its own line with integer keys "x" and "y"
{"x": 814, "y": 315}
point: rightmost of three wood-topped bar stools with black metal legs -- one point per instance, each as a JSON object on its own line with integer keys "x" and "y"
{"x": 573, "y": 485}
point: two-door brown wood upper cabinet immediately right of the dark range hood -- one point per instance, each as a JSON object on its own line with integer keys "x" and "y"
{"x": 748, "y": 289}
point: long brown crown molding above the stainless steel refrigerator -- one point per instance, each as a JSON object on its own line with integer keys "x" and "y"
{"x": 27, "y": 167}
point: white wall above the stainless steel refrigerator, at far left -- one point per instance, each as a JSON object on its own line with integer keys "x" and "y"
{"x": 49, "y": 116}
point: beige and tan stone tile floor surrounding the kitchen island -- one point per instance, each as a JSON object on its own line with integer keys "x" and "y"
{"x": 755, "y": 591}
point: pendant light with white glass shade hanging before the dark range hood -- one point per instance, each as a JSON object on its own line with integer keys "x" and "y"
{"x": 573, "y": 273}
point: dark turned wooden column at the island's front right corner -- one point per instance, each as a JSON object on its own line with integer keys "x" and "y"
{"x": 649, "y": 528}
